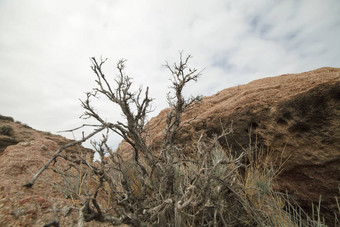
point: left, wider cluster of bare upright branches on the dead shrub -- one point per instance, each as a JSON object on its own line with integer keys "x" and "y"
{"x": 131, "y": 131}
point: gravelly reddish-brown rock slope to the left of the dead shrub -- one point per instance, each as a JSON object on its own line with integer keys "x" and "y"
{"x": 23, "y": 151}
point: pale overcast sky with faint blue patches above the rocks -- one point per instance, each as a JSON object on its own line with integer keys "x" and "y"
{"x": 45, "y": 47}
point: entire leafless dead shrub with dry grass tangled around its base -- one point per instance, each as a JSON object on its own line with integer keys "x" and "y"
{"x": 211, "y": 186}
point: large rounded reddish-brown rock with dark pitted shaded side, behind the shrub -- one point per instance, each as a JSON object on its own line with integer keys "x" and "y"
{"x": 296, "y": 113}
